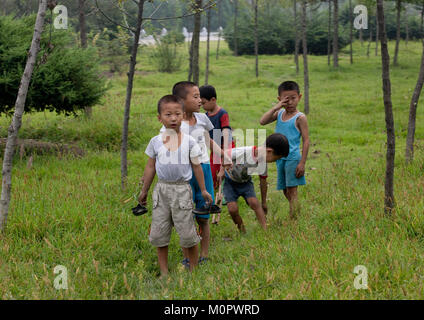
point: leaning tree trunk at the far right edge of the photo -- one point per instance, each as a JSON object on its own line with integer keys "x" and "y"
{"x": 413, "y": 112}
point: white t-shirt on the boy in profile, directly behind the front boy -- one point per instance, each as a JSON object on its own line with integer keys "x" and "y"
{"x": 198, "y": 131}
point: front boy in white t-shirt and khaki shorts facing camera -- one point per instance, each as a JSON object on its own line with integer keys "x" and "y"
{"x": 174, "y": 157}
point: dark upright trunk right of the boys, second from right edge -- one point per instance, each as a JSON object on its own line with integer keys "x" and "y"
{"x": 389, "y": 200}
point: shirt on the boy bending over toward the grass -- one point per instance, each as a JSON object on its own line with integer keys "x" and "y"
{"x": 245, "y": 164}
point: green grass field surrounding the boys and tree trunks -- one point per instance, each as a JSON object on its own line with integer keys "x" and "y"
{"x": 71, "y": 212}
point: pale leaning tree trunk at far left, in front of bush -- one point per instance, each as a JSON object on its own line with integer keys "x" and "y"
{"x": 17, "y": 117}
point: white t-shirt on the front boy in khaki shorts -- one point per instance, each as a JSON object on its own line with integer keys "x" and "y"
{"x": 173, "y": 166}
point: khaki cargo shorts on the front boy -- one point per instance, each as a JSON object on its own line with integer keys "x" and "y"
{"x": 173, "y": 206}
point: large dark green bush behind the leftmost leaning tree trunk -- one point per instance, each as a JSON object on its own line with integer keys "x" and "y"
{"x": 65, "y": 79}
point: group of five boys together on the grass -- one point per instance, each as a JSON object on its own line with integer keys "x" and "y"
{"x": 187, "y": 174}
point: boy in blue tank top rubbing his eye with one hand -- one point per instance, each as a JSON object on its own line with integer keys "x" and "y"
{"x": 293, "y": 124}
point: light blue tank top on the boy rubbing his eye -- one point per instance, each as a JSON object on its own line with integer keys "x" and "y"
{"x": 288, "y": 128}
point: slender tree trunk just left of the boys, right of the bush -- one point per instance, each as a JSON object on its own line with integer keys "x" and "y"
{"x": 133, "y": 62}
